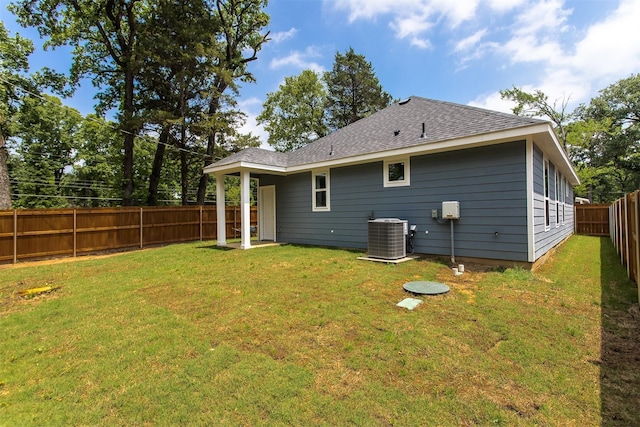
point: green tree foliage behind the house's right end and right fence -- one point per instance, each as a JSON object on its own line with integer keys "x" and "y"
{"x": 601, "y": 138}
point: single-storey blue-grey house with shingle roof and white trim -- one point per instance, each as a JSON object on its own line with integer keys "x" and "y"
{"x": 511, "y": 177}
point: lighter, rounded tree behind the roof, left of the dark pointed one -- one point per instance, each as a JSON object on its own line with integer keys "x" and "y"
{"x": 294, "y": 115}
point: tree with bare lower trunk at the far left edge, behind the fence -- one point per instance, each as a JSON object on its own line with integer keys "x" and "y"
{"x": 14, "y": 53}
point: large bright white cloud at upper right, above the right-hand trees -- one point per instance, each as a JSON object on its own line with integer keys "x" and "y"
{"x": 569, "y": 68}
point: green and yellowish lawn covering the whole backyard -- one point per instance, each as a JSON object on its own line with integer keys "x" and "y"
{"x": 195, "y": 335}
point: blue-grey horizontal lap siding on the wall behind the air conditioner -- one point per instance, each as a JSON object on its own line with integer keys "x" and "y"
{"x": 489, "y": 183}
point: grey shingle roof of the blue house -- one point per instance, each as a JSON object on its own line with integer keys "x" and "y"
{"x": 395, "y": 127}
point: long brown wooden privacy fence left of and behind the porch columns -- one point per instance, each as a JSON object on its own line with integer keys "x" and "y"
{"x": 26, "y": 234}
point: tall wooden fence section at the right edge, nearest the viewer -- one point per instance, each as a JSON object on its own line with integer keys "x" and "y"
{"x": 624, "y": 219}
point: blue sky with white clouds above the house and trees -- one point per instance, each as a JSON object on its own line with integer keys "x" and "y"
{"x": 462, "y": 51}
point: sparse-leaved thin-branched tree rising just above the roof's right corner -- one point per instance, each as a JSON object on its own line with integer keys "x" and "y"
{"x": 537, "y": 104}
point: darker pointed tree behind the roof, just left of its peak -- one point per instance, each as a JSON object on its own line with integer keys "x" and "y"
{"x": 354, "y": 91}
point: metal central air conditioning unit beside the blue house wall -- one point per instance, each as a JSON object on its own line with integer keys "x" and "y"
{"x": 387, "y": 238}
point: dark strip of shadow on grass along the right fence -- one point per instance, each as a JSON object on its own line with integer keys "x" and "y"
{"x": 620, "y": 352}
